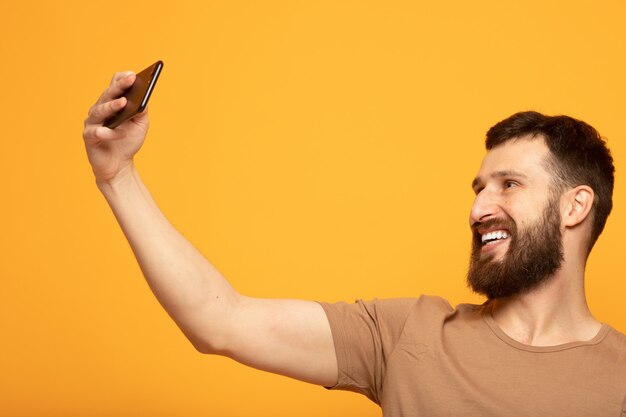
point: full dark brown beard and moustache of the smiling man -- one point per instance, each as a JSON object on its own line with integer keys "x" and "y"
{"x": 533, "y": 256}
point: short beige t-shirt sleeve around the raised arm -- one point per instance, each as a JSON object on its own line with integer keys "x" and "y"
{"x": 365, "y": 333}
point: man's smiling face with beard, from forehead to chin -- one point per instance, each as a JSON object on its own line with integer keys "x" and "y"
{"x": 515, "y": 221}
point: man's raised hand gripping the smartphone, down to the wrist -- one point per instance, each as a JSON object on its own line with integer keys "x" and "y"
{"x": 111, "y": 151}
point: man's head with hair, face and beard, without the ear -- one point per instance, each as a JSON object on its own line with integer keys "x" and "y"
{"x": 533, "y": 160}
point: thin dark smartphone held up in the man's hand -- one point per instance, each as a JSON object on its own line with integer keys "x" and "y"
{"x": 137, "y": 95}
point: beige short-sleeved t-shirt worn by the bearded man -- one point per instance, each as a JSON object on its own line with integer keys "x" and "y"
{"x": 421, "y": 357}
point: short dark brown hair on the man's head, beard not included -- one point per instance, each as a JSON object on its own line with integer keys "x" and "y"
{"x": 579, "y": 156}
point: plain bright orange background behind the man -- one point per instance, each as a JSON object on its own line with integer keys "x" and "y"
{"x": 311, "y": 149}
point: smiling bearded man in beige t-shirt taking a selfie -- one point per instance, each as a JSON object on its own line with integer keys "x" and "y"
{"x": 543, "y": 193}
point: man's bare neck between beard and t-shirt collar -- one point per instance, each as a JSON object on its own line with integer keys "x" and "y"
{"x": 552, "y": 314}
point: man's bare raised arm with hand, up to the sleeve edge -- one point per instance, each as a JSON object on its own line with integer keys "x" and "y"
{"x": 288, "y": 337}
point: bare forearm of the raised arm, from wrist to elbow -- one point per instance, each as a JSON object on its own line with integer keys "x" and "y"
{"x": 190, "y": 289}
